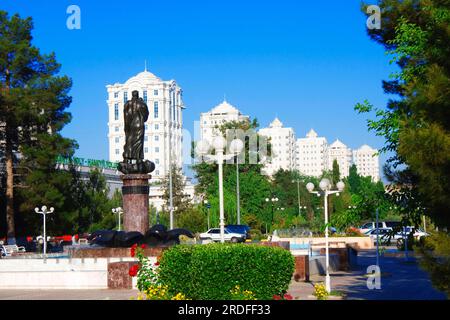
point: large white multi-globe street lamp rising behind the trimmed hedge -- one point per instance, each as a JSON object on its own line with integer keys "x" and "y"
{"x": 219, "y": 144}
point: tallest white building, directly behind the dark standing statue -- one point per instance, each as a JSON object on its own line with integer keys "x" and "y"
{"x": 164, "y": 126}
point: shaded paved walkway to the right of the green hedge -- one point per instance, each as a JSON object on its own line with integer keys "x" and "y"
{"x": 401, "y": 280}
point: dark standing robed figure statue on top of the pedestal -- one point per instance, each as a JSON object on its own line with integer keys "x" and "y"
{"x": 135, "y": 115}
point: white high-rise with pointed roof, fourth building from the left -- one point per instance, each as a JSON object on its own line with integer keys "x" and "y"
{"x": 311, "y": 154}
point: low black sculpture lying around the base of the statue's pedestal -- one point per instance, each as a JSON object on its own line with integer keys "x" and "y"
{"x": 158, "y": 235}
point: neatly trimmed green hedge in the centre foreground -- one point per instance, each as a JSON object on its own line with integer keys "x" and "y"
{"x": 209, "y": 272}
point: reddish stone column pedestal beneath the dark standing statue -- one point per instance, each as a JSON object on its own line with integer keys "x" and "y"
{"x": 135, "y": 192}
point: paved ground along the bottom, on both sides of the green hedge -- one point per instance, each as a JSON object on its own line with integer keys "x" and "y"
{"x": 400, "y": 281}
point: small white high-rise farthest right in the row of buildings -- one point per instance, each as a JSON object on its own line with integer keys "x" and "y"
{"x": 367, "y": 162}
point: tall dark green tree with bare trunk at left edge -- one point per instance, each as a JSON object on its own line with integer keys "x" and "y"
{"x": 33, "y": 100}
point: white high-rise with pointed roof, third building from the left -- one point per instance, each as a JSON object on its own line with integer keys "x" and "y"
{"x": 283, "y": 147}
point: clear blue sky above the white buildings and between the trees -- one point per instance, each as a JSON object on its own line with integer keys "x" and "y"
{"x": 306, "y": 62}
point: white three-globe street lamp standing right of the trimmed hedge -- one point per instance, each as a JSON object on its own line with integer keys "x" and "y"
{"x": 325, "y": 186}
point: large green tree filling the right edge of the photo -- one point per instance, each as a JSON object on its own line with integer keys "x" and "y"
{"x": 416, "y": 126}
